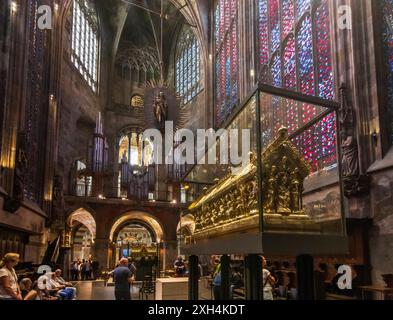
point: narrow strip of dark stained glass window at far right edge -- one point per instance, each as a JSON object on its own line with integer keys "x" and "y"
{"x": 387, "y": 36}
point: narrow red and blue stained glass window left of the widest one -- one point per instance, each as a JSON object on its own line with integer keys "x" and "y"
{"x": 227, "y": 59}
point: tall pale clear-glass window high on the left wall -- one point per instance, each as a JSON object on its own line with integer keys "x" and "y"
{"x": 85, "y": 42}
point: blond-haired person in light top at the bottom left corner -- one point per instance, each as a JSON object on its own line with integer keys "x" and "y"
{"x": 9, "y": 288}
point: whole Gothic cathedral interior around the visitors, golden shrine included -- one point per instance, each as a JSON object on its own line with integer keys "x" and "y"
{"x": 91, "y": 90}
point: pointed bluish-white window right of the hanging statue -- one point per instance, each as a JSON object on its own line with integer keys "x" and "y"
{"x": 187, "y": 66}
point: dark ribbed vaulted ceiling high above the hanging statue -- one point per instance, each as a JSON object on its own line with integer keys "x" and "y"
{"x": 128, "y": 23}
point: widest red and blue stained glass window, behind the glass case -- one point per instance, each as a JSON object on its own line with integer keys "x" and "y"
{"x": 295, "y": 50}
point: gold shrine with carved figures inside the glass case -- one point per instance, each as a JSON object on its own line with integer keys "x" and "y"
{"x": 235, "y": 197}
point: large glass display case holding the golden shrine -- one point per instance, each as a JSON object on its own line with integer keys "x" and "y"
{"x": 287, "y": 198}
